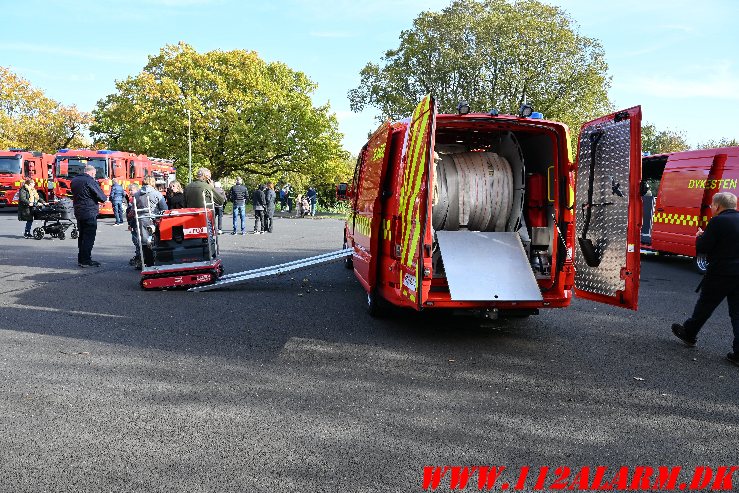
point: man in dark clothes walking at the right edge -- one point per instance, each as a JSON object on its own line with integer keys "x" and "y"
{"x": 720, "y": 244}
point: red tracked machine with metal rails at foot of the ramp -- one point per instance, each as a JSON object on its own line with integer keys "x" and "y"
{"x": 179, "y": 248}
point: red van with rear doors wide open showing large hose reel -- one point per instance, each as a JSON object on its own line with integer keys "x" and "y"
{"x": 489, "y": 213}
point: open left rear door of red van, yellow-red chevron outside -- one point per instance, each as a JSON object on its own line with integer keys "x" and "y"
{"x": 411, "y": 207}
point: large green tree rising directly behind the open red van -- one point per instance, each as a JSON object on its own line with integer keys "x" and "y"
{"x": 492, "y": 54}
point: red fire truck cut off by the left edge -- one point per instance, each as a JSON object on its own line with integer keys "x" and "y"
{"x": 18, "y": 164}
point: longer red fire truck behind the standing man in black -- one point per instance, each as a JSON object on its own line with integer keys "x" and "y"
{"x": 126, "y": 167}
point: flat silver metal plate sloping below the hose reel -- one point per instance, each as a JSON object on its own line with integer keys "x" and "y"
{"x": 487, "y": 266}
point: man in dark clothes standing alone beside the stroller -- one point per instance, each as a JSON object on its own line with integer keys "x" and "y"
{"x": 86, "y": 195}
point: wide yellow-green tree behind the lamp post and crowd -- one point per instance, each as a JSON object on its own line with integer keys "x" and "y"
{"x": 247, "y": 116}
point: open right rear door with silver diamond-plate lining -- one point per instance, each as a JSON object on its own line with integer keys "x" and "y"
{"x": 608, "y": 211}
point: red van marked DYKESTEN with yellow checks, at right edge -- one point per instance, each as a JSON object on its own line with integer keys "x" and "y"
{"x": 682, "y": 186}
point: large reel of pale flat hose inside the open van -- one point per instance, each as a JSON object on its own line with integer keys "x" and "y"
{"x": 473, "y": 190}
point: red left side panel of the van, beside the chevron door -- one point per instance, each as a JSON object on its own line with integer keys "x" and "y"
{"x": 368, "y": 206}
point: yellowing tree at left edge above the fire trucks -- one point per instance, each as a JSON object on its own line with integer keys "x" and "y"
{"x": 29, "y": 119}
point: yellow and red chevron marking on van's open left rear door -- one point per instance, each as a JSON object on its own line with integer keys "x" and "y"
{"x": 408, "y": 206}
